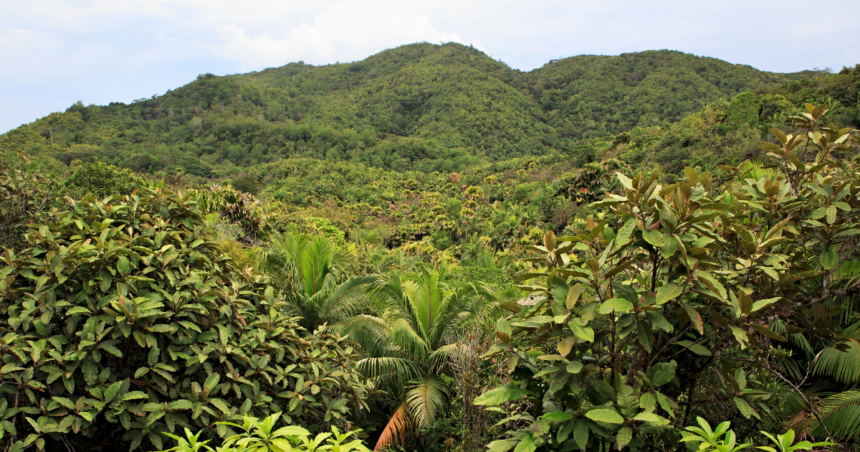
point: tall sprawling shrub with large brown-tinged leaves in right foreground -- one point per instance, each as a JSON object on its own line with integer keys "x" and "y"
{"x": 679, "y": 294}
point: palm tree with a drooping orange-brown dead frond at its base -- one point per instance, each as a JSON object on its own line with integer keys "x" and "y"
{"x": 410, "y": 342}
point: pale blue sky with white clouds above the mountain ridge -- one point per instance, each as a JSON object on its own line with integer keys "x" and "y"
{"x": 55, "y": 53}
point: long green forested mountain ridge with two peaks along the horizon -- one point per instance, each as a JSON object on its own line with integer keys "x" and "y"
{"x": 417, "y": 107}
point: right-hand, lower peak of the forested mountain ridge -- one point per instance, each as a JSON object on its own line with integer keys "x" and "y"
{"x": 592, "y": 95}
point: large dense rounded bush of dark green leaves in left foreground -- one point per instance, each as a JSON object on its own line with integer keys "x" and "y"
{"x": 121, "y": 321}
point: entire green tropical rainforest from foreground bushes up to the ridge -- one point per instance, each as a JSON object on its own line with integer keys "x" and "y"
{"x": 428, "y": 250}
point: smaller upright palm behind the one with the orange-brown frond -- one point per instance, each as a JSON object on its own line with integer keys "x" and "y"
{"x": 308, "y": 271}
